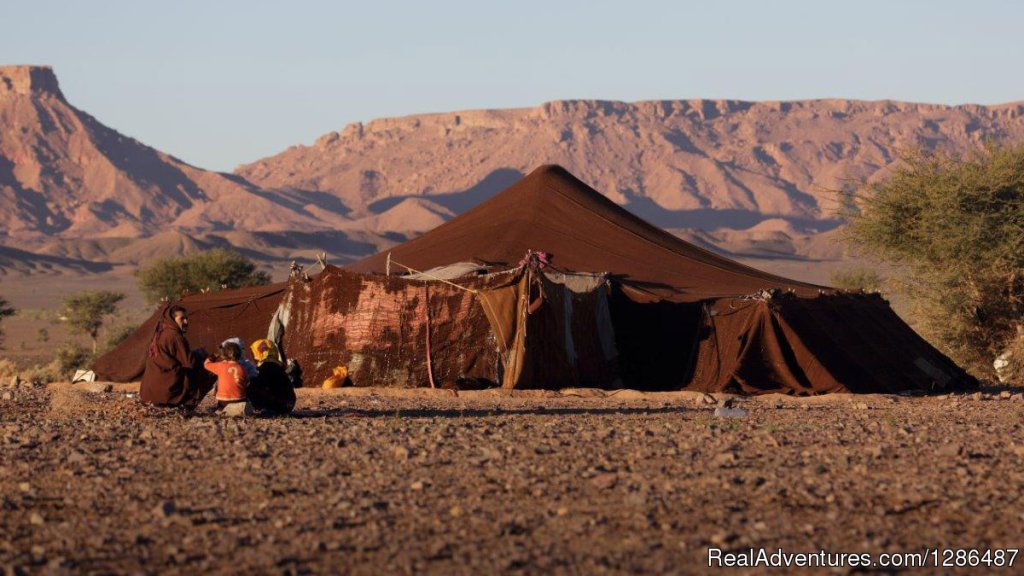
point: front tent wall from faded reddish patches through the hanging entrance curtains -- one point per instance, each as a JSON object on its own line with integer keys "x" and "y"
{"x": 383, "y": 331}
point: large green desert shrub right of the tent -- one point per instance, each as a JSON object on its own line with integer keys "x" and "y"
{"x": 956, "y": 226}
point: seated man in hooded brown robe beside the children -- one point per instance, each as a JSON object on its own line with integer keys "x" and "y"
{"x": 175, "y": 376}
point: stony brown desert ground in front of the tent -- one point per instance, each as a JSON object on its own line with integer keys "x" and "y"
{"x": 370, "y": 482}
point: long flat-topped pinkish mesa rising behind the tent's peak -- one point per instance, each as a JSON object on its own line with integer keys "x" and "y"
{"x": 745, "y": 177}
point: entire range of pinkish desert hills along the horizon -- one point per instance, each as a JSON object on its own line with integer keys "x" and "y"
{"x": 747, "y": 179}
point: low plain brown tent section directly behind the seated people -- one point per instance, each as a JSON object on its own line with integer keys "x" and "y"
{"x": 214, "y": 318}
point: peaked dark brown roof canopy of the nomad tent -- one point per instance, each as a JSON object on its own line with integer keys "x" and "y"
{"x": 552, "y": 212}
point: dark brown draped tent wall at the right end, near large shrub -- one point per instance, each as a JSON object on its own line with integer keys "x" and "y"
{"x": 841, "y": 343}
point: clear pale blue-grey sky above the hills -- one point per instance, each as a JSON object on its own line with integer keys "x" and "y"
{"x": 221, "y": 84}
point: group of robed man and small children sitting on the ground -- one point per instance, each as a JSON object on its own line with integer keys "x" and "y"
{"x": 179, "y": 377}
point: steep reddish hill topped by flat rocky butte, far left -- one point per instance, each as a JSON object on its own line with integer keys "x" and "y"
{"x": 74, "y": 189}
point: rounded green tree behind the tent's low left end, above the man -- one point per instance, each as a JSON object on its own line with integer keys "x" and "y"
{"x": 173, "y": 278}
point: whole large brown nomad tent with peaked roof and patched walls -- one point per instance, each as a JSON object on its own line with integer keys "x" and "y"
{"x": 611, "y": 302}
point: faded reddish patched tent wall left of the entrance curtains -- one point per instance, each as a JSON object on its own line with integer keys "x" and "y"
{"x": 378, "y": 330}
